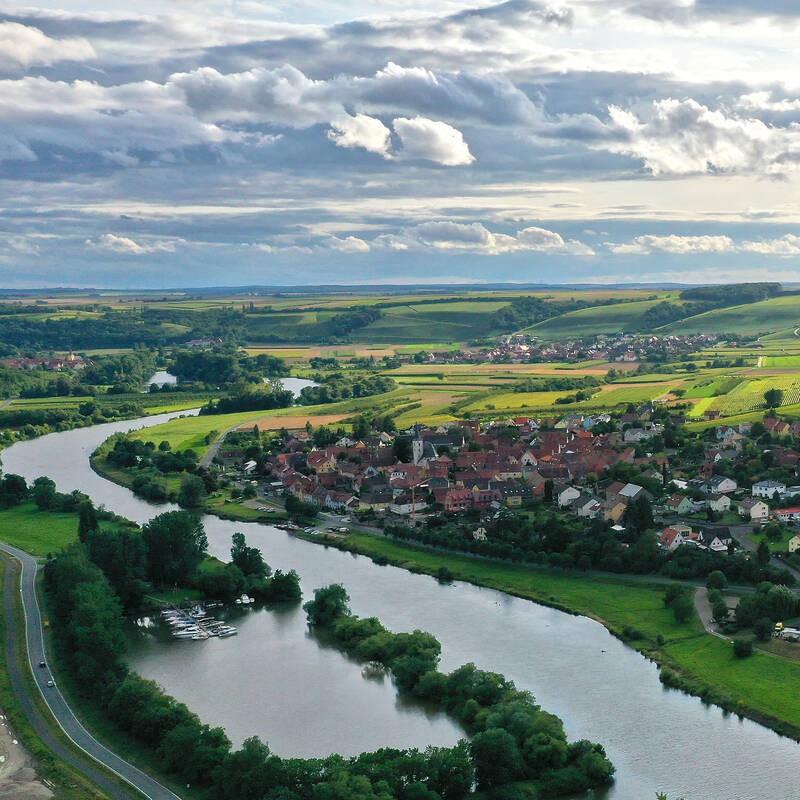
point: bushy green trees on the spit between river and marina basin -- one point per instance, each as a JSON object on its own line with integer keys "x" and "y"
{"x": 512, "y": 738}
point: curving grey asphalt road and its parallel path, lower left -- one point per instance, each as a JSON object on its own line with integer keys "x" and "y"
{"x": 34, "y": 634}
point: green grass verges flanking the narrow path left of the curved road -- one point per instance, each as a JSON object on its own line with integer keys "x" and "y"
{"x": 67, "y": 782}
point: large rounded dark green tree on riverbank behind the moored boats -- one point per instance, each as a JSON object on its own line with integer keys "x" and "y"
{"x": 176, "y": 544}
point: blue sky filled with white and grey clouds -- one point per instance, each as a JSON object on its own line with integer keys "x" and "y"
{"x": 239, "y": 142}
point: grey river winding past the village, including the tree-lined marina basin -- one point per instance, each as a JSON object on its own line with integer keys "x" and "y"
{"x": 278, "y": 681}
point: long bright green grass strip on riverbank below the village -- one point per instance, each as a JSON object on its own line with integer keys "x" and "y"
{"x": 760, "y": 687}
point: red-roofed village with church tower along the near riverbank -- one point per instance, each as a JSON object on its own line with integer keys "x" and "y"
{"x": 720, "y": 492}
